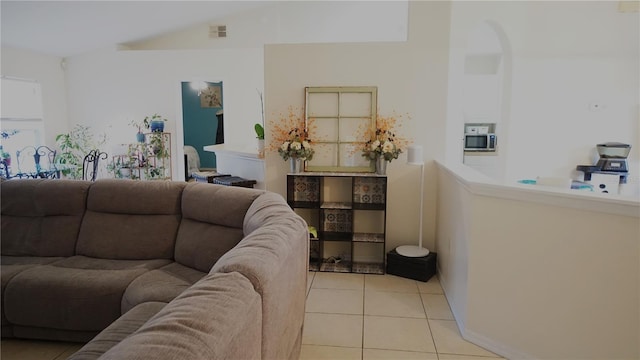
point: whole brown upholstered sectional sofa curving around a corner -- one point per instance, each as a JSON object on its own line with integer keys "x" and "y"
{"x": 153, "y": 269}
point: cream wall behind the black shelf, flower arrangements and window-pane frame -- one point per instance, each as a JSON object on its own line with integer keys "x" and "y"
{"x": 411, "y": 78}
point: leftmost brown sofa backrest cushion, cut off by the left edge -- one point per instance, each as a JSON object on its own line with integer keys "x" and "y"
{"x": 41, "y": 217}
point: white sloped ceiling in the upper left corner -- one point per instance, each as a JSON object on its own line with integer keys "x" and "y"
{"x": 65, "y": 28}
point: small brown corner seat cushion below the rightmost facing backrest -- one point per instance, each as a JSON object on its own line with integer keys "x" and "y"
{"x": 162, "y": 284}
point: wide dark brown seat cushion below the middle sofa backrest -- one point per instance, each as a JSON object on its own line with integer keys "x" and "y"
{"x": 77, "y": 293}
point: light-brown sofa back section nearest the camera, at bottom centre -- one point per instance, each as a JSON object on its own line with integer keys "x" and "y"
{"x": 217, "y": 318}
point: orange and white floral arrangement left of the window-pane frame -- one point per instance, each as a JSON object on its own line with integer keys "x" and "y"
{"x": 290, "y": 136}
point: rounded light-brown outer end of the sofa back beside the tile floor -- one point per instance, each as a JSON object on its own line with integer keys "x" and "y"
{"x": 274, "y": 257}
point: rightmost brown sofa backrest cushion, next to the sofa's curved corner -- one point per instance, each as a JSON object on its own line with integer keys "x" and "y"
{"x": 212, "y": 219}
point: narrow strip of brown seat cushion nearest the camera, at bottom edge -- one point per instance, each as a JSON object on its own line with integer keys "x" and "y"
{"x": 126, "y": 325}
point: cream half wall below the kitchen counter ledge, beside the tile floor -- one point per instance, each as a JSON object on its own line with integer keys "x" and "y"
{"x": 539, "y": 274}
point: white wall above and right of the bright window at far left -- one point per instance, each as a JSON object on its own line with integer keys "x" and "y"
{"x": 46, "y": 70}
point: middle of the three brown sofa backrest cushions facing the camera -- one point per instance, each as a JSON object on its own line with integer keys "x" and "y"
{"x": 127, "y": 219}
